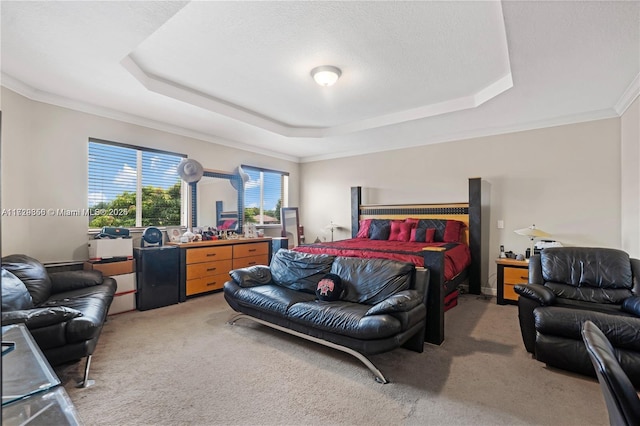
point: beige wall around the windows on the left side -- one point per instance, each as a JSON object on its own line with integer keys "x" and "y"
{"x": 44, "y": 165}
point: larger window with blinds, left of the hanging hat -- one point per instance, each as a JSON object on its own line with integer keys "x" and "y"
{"x": 133, "y": 187}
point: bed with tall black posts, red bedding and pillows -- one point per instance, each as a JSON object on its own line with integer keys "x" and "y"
{"x": 452, "y": 251}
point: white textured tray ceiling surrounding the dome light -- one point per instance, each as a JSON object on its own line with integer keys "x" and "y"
{"x": 413, "y": 73}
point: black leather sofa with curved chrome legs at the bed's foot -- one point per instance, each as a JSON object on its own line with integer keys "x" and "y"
{"x": 382, "y": 307}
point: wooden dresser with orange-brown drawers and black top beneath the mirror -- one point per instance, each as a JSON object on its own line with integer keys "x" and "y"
{"x": 205, "y": 265}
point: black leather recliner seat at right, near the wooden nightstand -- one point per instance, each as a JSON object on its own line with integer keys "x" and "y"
{"x": 570, "y": 285}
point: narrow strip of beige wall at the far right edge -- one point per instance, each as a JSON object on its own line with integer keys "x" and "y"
{"x": 630, "y": 179}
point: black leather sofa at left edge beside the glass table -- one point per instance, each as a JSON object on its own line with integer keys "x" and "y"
{"x": 64, "y": 311}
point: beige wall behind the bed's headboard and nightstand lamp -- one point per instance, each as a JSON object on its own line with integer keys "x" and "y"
{"x": 564, "y": 179}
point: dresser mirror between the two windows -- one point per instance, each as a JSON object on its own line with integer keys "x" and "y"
{"x": 215, "y": 201}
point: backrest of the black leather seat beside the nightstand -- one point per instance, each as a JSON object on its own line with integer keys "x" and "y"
{"x": 591, "y": 274}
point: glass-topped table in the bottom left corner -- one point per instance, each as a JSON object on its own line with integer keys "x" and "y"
{"x": 31, "y": 391}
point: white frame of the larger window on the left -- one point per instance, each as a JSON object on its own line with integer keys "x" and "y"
{"x": 139, "y": 150}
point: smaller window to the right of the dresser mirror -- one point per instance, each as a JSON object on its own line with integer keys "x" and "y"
{"x": 264, "y": 194}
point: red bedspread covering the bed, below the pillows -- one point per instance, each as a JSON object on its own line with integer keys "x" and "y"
{"x": 456, "y": 258}
